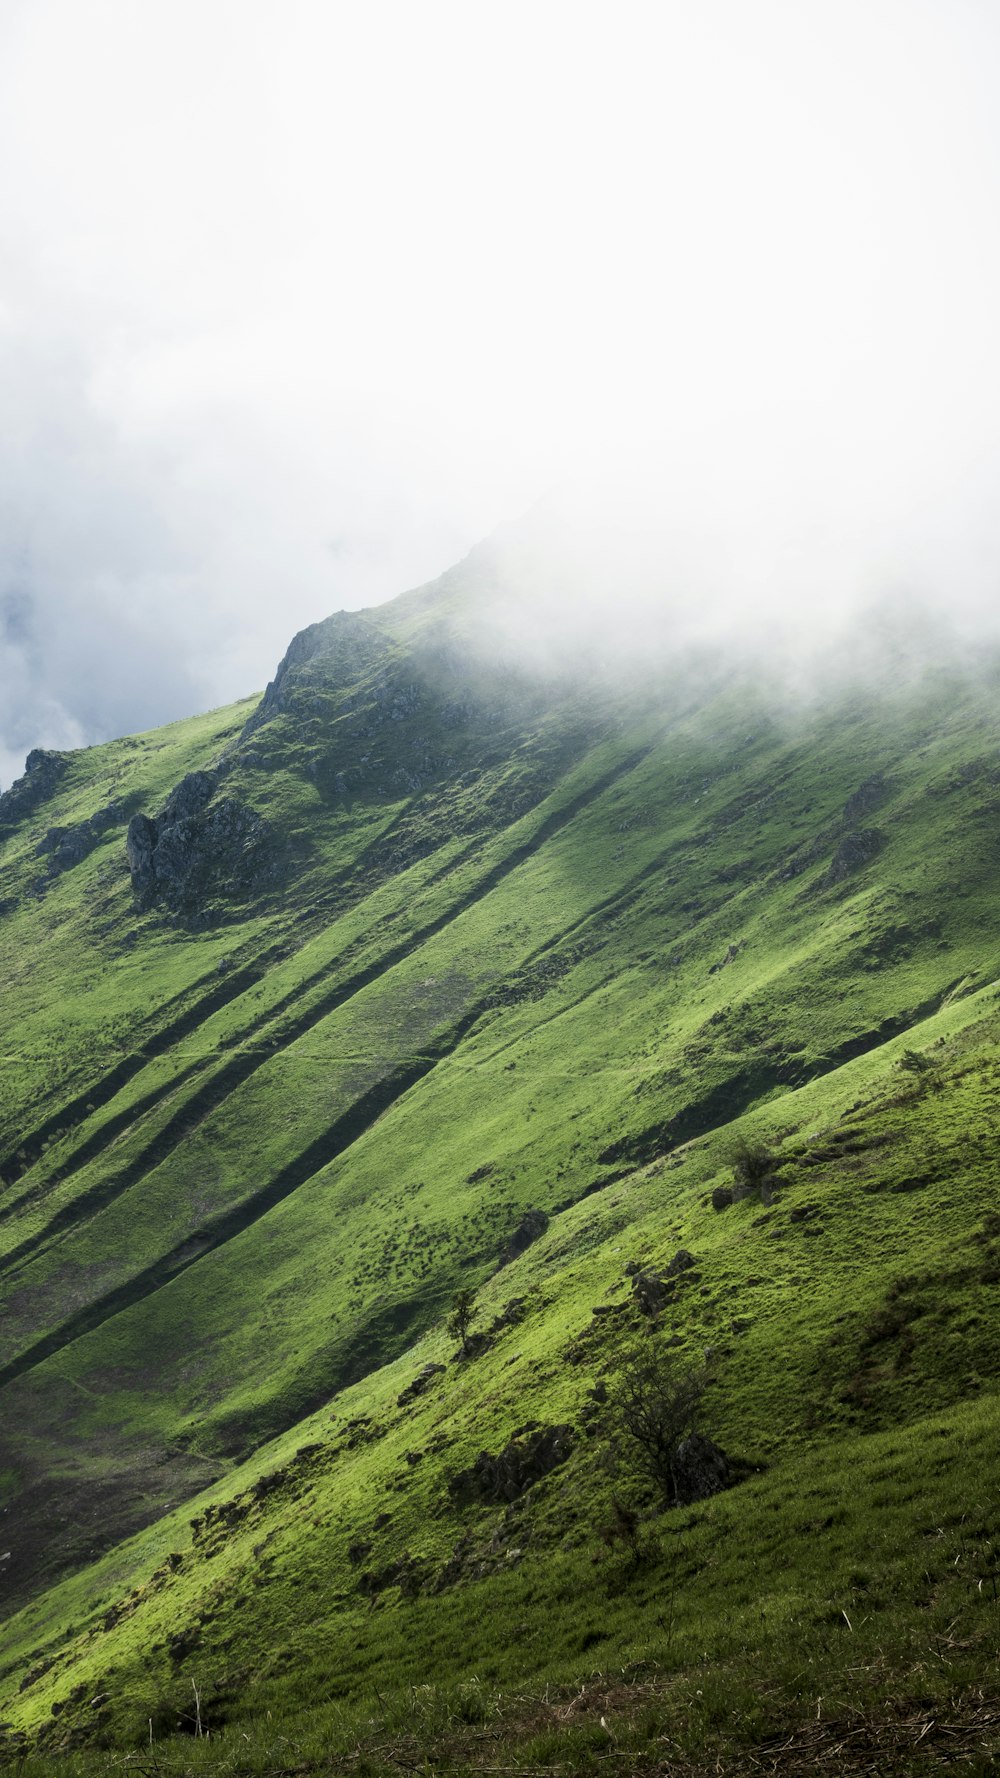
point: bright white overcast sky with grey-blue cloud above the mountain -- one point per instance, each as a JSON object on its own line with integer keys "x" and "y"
{"x": 302, "y": 300}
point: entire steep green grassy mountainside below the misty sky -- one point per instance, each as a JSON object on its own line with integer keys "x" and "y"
{"x": 433, "y": 972}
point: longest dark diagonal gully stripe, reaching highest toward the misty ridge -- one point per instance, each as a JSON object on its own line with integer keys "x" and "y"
{"x": 243, "y": 1066}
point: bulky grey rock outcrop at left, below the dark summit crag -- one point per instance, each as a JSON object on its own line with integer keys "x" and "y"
{"x": 197, "y": 853}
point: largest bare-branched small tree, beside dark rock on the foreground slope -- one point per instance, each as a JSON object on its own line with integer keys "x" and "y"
{"x": 657, "y": 1402}
